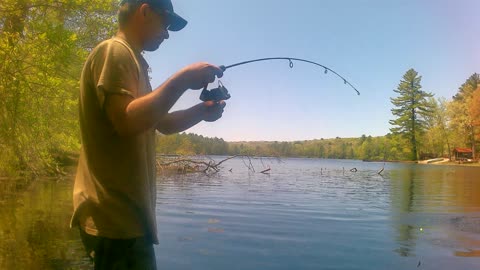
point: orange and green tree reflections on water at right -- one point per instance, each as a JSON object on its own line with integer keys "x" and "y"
{"x": 440, "y": 205}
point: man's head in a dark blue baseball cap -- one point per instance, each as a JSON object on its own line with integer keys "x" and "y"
{"x": 150, "y": 19}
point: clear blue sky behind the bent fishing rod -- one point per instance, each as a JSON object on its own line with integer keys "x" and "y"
{"x": 370, "y": 42}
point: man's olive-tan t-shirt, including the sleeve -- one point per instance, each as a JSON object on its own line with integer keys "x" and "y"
{"x": 114, "y": 194}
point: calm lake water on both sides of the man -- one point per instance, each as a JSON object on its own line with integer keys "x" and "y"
{"x": 306, "y": 214}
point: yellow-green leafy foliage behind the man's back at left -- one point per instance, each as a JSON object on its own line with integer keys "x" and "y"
{"x": 43, "y": 45}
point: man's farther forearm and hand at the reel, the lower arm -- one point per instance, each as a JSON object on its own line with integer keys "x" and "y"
{"x": 182, "y": 120}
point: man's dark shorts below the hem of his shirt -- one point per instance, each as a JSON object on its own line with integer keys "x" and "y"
{"x": 119, "y": 254}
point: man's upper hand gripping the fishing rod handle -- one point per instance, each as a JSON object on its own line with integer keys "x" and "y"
{"x": 198, "y": 75}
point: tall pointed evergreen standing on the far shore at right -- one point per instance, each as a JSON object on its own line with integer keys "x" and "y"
{"x": 411, "y": 108}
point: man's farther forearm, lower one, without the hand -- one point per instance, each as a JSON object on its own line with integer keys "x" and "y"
{"x": 179, "y": 121}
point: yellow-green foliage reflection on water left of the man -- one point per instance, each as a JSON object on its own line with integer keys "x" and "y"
{"x": 34, "y": 232}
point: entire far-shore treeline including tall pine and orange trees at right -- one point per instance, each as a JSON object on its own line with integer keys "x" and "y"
{"x": 423, "y": 127}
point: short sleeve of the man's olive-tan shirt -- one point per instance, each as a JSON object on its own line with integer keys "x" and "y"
{"x": 114, "y": 71}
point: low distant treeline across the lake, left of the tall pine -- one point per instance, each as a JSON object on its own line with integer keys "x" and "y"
{"x": 365, "y": 148}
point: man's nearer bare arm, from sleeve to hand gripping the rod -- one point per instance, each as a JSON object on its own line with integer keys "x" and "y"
{"x": 131, "y": 116}
